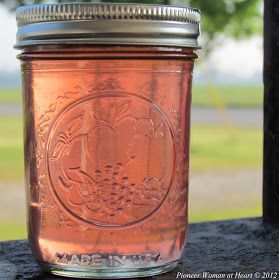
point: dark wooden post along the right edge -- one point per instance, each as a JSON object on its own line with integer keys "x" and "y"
{"x": 271, "y": 113}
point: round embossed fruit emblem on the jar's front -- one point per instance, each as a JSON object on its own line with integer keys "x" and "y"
{"x": 111, "y": 159}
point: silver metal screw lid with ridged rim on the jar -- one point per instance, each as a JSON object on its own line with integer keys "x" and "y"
{"x": 103, "y": 23}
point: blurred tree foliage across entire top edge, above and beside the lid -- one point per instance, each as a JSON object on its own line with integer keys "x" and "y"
{"x": 233, "y": 18}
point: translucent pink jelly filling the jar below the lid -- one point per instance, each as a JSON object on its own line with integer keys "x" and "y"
{"x": 106, "y": 154}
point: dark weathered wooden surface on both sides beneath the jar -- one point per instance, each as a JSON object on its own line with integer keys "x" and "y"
{"x": 244, "y": 245}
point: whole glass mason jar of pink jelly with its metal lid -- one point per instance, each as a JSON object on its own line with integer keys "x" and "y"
{"x": 107, "y": 91}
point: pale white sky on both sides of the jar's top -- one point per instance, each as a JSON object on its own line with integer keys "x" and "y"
{"x": 231, "y": 62}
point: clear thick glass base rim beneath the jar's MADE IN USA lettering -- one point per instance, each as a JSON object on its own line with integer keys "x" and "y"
{"x": 82, "y": 272}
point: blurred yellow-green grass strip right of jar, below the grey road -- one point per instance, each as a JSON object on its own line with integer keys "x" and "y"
{"x": 225, "y": 148}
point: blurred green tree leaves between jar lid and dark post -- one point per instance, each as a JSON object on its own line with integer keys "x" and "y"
{"x": 233, "y": 18}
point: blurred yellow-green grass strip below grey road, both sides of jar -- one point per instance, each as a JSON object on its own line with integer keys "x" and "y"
{"x": 212, "y": 148}
